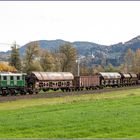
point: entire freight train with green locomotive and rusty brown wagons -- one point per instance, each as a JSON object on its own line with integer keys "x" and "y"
{"x": 22, "y": 83}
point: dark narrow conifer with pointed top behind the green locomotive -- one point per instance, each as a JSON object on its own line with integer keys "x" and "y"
{"x": 15, "y": 57}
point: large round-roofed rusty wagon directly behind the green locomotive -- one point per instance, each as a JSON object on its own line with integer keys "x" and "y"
{"x": 51, "y": 80}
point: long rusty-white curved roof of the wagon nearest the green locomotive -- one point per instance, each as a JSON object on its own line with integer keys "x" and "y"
{"x": 53, "y": 75}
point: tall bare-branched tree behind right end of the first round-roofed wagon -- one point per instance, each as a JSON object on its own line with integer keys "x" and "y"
{"x": 67, "y": 57}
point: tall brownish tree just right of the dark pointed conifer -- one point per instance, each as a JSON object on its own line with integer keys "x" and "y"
{"x": 31, "y": 57}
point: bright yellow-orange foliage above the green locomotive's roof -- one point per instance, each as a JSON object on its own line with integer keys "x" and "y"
{"x": 6, "y": 67}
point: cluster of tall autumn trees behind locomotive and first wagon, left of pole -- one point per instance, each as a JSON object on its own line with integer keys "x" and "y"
{"x": 37, "y": 59}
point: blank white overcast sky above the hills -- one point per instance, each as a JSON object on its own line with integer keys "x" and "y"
{"x": 101, "y": 22}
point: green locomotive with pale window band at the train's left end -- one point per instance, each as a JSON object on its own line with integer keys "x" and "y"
{"x": 12, "y": 83}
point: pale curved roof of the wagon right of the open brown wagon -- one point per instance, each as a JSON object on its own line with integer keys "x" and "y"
{"x": 110, "y": 75}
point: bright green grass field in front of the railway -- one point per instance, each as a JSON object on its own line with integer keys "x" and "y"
{"x": 109, "y": 115}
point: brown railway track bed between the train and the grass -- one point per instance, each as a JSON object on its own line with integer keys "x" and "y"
{"x": 61, "y": 94}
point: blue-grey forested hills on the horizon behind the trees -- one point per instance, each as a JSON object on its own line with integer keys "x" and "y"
{"x": 111, "y": 54}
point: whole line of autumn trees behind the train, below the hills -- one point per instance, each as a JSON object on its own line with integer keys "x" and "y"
{"x": 64, "y": 60}
